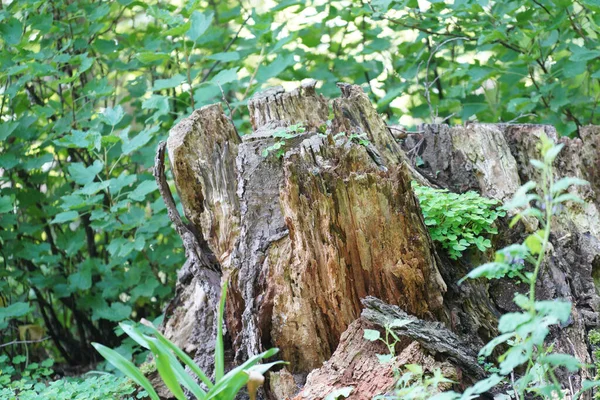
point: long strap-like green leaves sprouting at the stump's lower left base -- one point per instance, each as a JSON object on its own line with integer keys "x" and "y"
{"x": 173, "y": 374}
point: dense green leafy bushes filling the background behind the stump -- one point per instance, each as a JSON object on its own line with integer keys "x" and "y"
{"x": 89, "y": 87}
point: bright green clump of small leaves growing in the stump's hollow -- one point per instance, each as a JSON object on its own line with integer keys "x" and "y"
{"x": 458, "y": 221}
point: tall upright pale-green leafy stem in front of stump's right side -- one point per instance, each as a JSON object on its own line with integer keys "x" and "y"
{"x": 525, "y": 331}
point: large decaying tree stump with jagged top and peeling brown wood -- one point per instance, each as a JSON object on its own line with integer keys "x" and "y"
{"x": 303, "y": 238}
